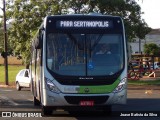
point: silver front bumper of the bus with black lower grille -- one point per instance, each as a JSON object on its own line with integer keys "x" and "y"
{"x": 60, "y": 99}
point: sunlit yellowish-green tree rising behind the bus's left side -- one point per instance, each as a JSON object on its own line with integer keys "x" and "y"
{"x": 27, "y": 16}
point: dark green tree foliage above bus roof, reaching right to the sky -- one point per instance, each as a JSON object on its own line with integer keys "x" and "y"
{"x": 129, "y": 10}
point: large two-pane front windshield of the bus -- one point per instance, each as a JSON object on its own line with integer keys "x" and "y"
{"x": 84, "y": 54}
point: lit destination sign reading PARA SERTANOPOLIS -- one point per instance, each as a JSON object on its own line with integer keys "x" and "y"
{"x": 84, "y": 24}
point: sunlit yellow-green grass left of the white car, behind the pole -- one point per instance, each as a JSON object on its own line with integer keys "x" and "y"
{"x": 12, "y": 72}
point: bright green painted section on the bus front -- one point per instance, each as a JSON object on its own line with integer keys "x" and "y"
{"x": 99, "y": 88}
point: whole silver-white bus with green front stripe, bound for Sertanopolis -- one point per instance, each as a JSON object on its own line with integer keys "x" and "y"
{"x": 79, "y": 61}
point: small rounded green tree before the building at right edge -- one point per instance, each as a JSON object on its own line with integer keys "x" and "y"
{"x": 151, "y": 49}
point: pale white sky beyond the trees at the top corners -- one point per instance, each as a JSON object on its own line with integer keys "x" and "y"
{"x": 151, "y": 9}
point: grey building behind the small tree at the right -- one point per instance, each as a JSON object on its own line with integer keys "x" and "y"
{"x": 152, "y": 37}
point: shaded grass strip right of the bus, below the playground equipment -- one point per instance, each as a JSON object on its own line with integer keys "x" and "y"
{"x": 148, "y": 82}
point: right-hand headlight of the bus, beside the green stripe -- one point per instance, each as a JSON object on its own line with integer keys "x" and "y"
{"x": 121, "y": 85}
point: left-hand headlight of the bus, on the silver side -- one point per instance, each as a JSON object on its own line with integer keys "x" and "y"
{"x": 51, "y": 86}
